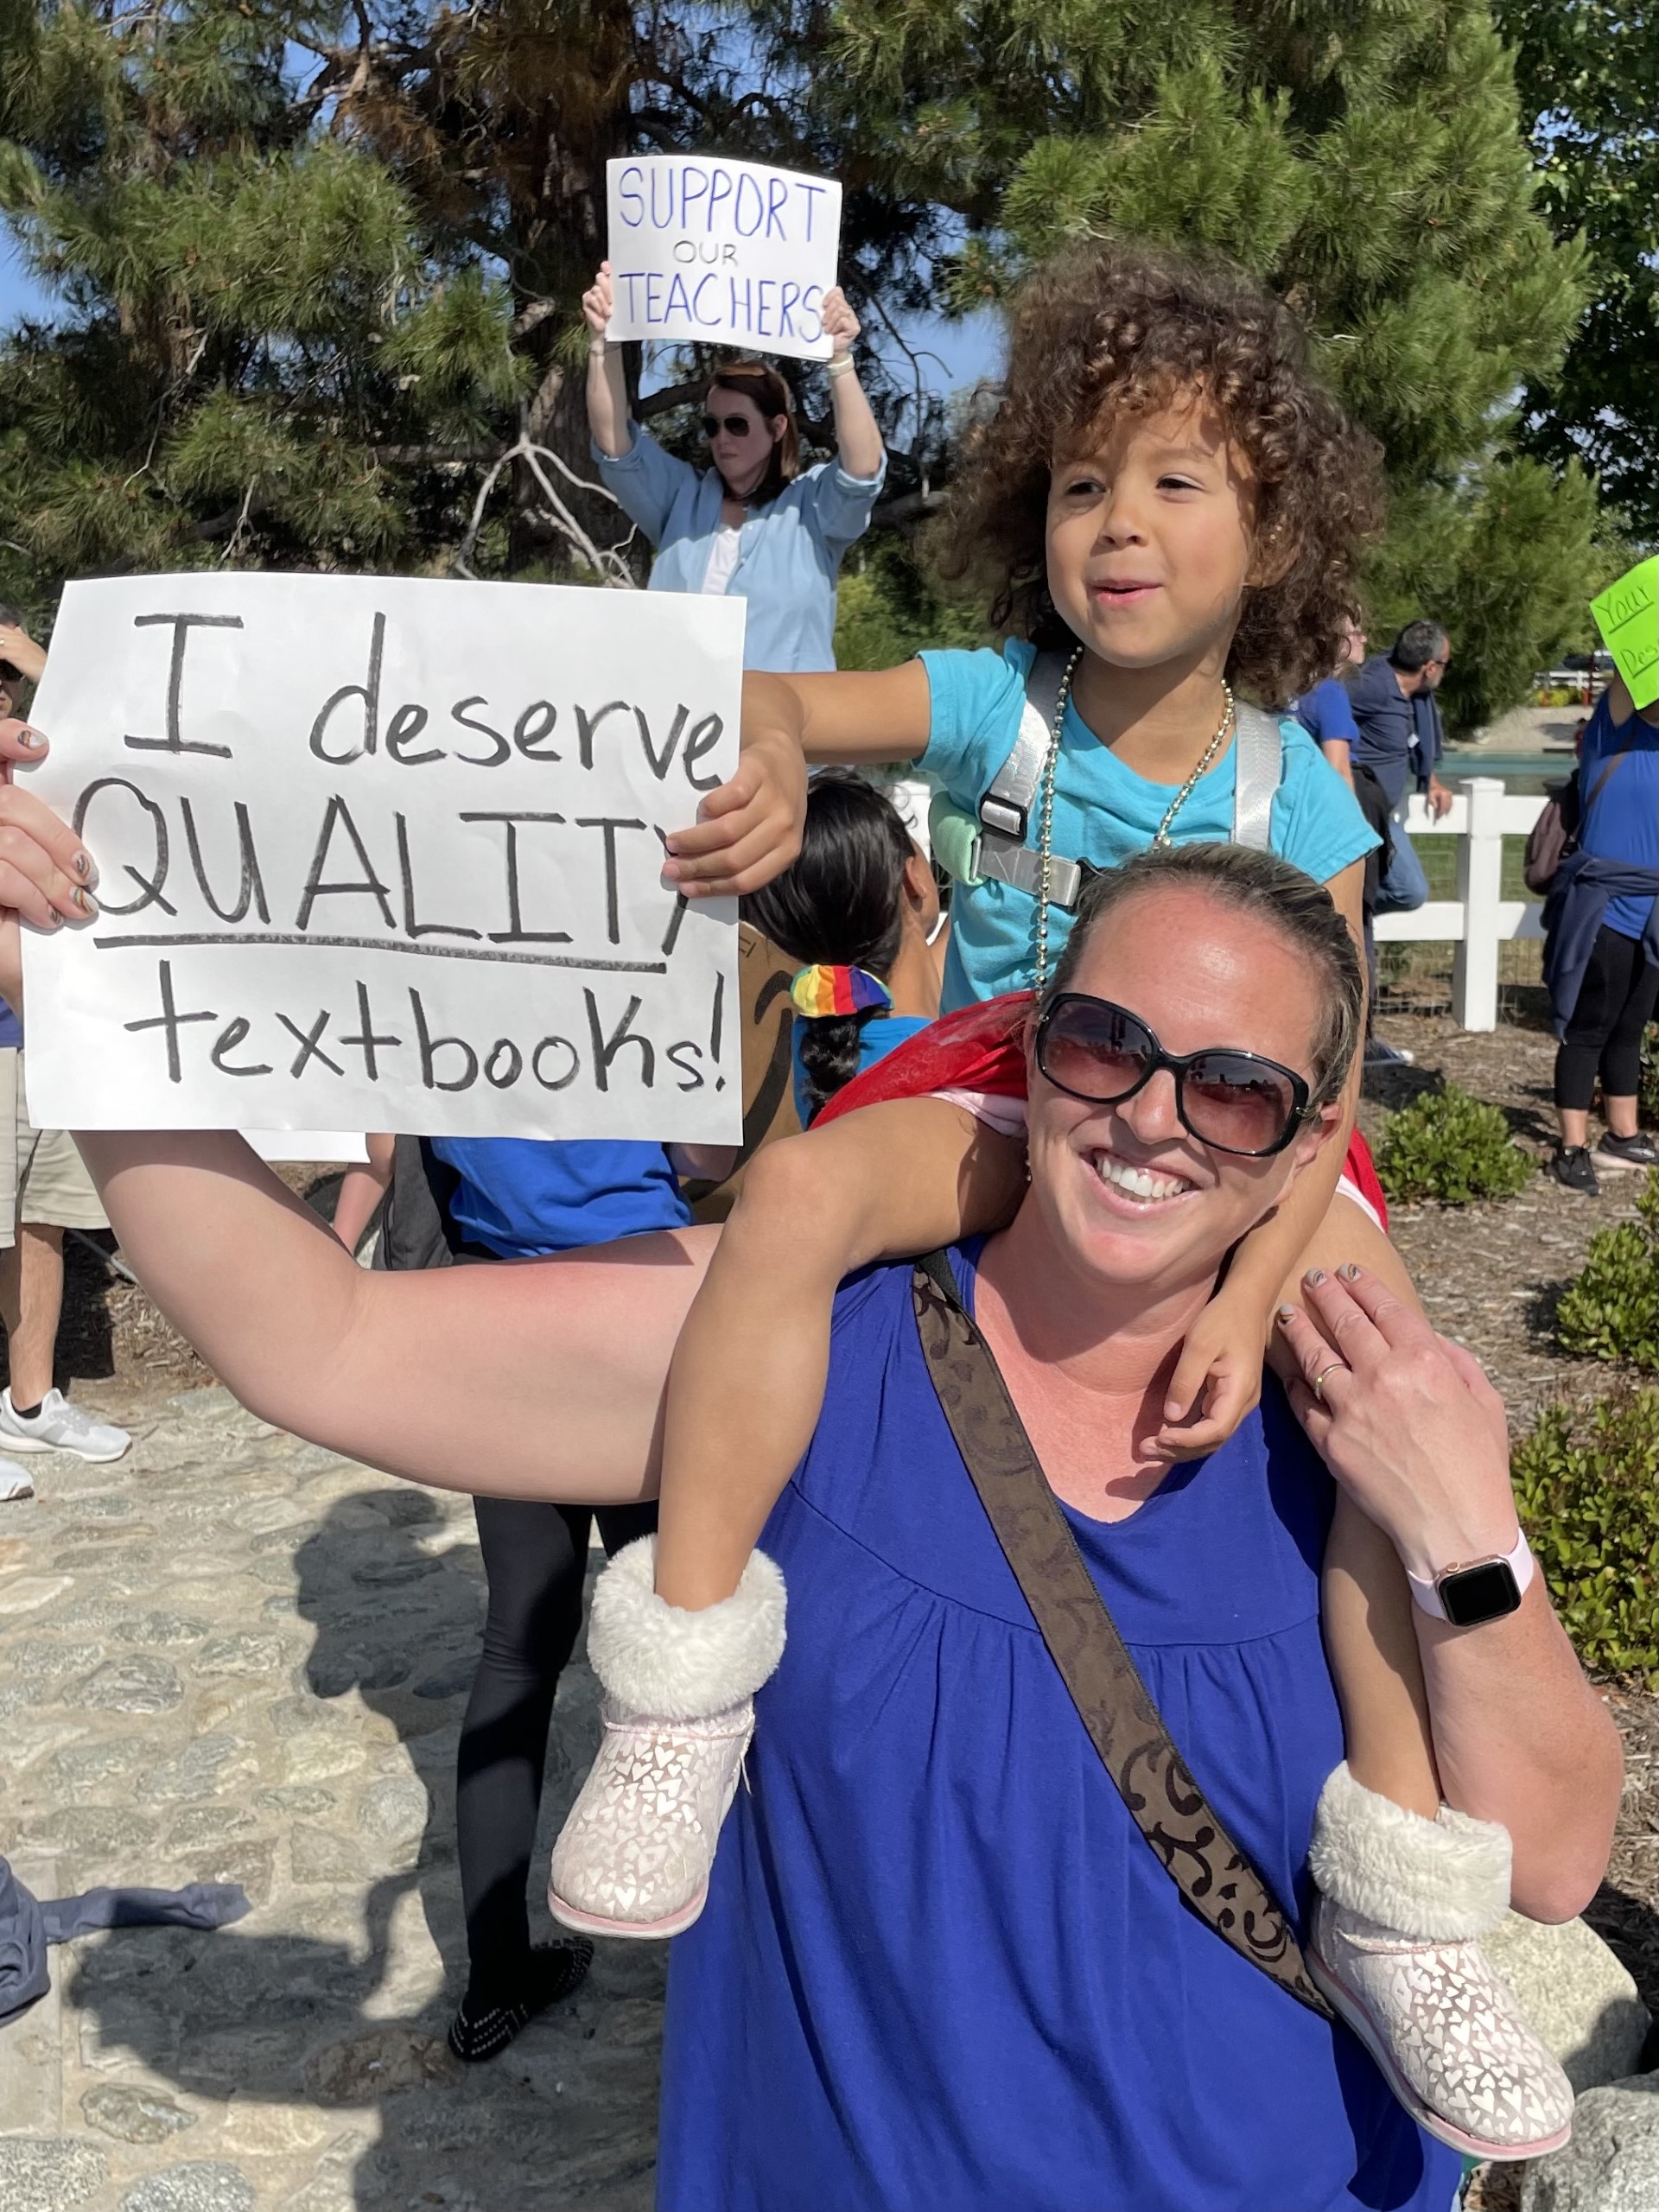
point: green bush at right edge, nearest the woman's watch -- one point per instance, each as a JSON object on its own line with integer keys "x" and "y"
{"x": 1589, "y": 1503}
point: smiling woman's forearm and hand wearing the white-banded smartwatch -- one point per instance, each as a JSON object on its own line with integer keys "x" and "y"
{"x": 1417, "y": 1437}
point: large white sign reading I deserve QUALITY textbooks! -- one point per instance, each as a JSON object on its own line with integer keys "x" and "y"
{"x": 386, "y": 855}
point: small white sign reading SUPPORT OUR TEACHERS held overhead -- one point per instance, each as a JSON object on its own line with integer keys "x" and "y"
{"x": 722, "y": 253}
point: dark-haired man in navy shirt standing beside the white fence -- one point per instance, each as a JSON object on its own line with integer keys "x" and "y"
{"x": 1397, "y": 749}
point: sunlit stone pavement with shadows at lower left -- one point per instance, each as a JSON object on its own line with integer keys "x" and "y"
{"x": 238, "y": 1658}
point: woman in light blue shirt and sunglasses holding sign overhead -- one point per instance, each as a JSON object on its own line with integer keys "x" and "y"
{"x": 755, "y": 523}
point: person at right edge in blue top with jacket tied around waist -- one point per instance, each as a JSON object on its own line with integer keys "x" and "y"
{"x": 1603, "y": 950}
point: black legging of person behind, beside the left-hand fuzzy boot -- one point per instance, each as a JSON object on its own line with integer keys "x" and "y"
{"x": 534, "y": 1558}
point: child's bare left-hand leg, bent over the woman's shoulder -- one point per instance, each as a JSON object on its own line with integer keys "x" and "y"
{"x": 751, "y": 1364}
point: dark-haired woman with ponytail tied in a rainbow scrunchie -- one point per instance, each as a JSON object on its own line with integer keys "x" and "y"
{"x": 862, "y": 910}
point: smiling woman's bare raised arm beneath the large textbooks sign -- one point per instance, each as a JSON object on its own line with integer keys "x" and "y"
{"x": 532, "y": 1379}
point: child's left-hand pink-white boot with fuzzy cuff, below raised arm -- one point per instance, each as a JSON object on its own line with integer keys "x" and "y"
{"x": 636, "y": 1848}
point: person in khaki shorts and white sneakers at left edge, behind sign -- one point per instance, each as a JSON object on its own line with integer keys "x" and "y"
{"x": 43, "y": 1191}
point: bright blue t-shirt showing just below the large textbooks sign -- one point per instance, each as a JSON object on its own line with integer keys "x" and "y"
{"x": 525, "y": 1196}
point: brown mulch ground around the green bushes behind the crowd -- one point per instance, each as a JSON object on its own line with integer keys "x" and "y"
{"x": 1490, "y": 1275}
